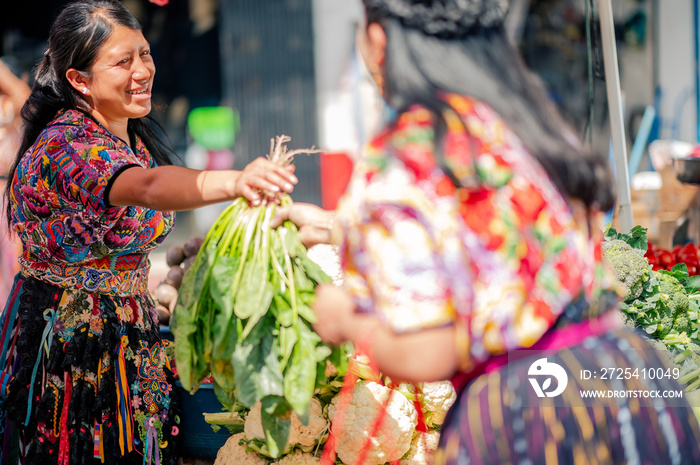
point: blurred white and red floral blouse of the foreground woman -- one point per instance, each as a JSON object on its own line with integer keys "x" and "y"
{"x": 500, "y": 258}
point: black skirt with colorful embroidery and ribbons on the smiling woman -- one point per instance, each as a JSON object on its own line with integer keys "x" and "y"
{"x": 86, "y": 379}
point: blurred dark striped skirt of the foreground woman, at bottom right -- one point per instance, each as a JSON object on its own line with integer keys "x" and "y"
{"x": 498, "y": 419}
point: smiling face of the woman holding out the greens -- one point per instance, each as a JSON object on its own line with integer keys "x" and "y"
{"x": 120, "y": 81}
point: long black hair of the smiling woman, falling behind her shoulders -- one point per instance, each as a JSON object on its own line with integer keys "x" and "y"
{"x": 75, "y": 39}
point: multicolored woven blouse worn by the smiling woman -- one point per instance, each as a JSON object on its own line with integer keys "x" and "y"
{"x": 64, "y": 220}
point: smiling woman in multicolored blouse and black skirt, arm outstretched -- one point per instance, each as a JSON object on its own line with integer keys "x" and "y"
{"x": 84, "y": 375}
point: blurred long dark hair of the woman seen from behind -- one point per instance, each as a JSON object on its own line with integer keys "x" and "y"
{"x": 433, "y": 47}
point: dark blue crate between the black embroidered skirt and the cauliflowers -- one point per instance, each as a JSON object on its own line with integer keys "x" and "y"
{"x": 197, "y": 438}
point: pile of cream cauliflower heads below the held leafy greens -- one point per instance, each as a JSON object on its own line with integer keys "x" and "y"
{"x": 380, "y": 424}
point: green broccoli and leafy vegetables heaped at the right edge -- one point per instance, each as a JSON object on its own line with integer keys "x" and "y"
{"x": 663, "y": 303}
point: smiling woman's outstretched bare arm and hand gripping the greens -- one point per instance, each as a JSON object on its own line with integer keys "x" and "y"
{"x": 177, "y": 188}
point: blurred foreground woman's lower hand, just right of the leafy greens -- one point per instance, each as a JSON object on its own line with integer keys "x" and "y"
{"x": 334, "y": 308}
